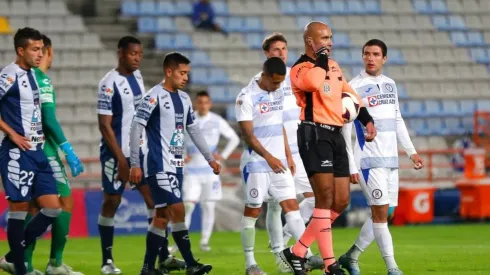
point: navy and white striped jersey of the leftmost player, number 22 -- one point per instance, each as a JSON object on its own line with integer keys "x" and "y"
{"x": 20, "y": 106}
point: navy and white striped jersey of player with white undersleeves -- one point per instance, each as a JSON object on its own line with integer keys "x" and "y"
{"x": 165, "y": 115}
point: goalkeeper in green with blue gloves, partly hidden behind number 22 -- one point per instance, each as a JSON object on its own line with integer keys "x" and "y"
{"x": 55, "y": 139}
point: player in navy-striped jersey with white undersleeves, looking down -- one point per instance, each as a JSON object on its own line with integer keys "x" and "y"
{"x": 164, "y": 113}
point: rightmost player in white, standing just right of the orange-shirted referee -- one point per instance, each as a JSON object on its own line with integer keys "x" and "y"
{"x": 378, "y": 160}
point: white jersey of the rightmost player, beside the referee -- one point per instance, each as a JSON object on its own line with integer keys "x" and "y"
{"x": 379, "y": 95}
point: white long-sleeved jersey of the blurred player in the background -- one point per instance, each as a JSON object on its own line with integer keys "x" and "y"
{"x": 212, "y": 126}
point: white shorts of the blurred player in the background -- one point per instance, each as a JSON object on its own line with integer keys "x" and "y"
{"x": 204, "y": 187}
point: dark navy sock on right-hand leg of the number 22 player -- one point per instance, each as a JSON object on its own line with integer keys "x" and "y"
{"x": 39, "y": 224}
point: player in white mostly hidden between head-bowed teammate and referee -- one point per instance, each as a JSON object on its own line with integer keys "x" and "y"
{"x": 275, "y": 45}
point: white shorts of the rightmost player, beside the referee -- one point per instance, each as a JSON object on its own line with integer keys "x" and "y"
{"x": 382, "y": 186}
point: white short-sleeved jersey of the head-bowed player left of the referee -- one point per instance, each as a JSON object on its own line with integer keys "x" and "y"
{"x": 266, "y": 111}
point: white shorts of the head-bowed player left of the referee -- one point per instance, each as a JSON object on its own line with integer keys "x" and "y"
{"x": 266, "y": 186}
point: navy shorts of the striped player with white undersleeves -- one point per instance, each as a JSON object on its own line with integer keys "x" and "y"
{"x": 165, "y": 188}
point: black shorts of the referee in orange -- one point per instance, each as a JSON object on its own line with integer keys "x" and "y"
{"x": 322, "y": 149}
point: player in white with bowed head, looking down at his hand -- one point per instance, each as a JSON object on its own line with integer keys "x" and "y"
{"x": 267, "y": 163}
